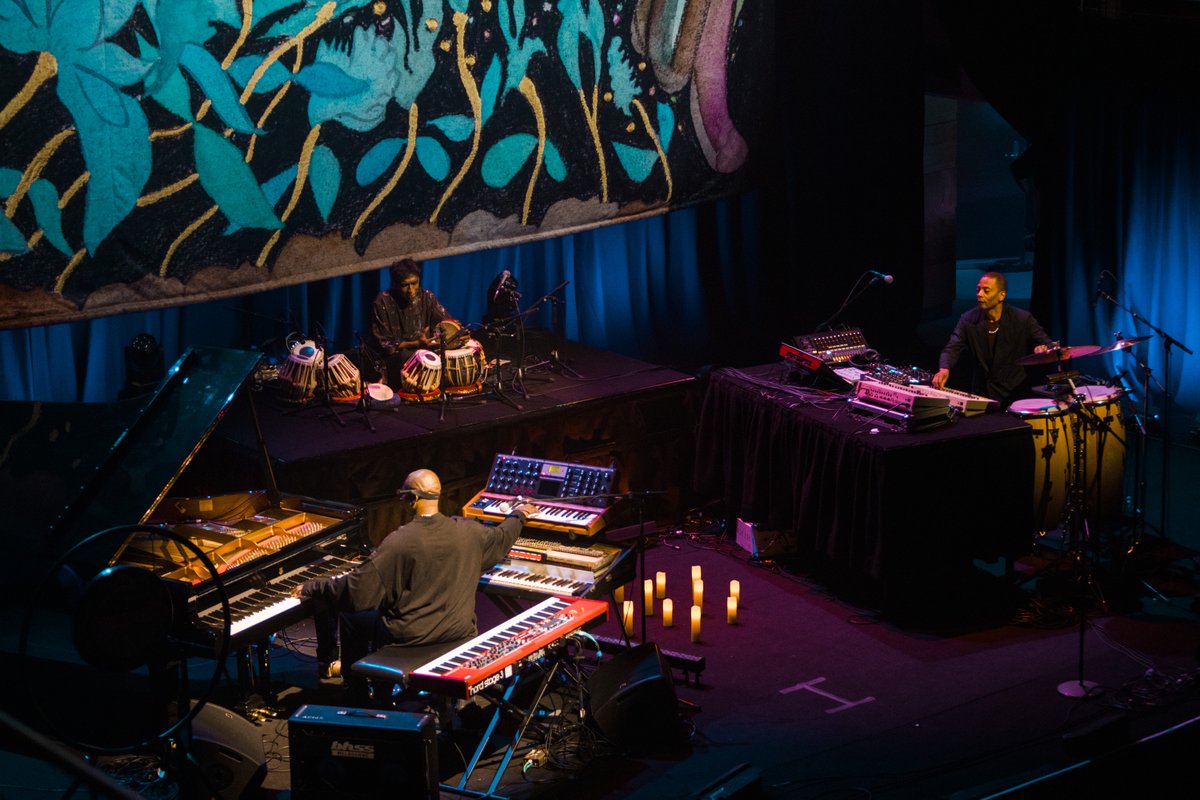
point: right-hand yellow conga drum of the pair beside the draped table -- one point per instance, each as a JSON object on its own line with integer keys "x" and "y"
{"x": 1103, "y": 450}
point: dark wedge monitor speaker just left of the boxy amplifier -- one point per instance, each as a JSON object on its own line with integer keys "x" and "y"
{"x": 230, "y": 751}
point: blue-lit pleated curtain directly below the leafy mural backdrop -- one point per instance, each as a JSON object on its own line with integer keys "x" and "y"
{"x": 641, "y": 288}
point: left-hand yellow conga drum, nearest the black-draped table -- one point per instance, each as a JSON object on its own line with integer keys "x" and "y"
{"x": 1053, "y": 446}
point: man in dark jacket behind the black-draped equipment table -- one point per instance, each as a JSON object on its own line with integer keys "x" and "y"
{"x": 997, "y": 336}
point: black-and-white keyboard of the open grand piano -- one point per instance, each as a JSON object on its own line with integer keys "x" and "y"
{"x": 272, "y": 607}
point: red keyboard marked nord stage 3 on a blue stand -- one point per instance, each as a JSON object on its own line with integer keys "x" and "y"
{"x": 495, "y": 655}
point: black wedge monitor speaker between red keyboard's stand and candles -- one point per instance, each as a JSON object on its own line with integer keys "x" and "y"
{"x": 633, "y": 700}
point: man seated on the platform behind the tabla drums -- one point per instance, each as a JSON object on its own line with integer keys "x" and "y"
{"x": 406, "y": 318}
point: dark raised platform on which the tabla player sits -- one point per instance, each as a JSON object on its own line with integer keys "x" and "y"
{"x": 614, "y": 411}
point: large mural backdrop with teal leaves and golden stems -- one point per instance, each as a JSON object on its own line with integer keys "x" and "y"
{"x": 155, "y": 153}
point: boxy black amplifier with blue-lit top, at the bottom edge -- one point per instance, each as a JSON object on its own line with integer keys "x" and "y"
{"x": 340, "y": 753}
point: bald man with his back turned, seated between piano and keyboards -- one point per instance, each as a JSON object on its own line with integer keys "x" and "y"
{"x": 418, "y": 588}
